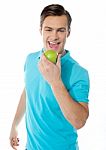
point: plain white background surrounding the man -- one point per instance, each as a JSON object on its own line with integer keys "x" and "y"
{"x": 19, "y": 35}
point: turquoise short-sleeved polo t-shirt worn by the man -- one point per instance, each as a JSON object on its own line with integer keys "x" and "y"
{"x": 47, "y": 128}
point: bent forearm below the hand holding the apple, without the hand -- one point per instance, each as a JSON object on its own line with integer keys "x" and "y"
{"x": 73, "y": 111}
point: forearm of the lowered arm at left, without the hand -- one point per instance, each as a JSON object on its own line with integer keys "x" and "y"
{"x": 20, "y": 110}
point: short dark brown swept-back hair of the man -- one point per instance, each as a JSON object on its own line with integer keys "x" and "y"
{"x": 55, "y": 10}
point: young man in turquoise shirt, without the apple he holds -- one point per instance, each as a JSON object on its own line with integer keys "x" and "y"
{"x": 55, "y": 98}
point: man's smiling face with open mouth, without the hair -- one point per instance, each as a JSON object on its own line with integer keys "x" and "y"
{"x": 54, "y": 32}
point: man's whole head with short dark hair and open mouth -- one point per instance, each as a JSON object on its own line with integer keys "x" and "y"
{"x": 55, "y": 24}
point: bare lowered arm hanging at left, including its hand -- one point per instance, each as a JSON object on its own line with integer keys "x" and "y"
{"x": 17, "y": 119}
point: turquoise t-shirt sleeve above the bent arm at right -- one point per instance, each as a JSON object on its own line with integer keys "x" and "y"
{"x": 80, "y": 87}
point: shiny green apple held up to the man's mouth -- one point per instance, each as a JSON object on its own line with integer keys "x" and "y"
{"x": 51, "y": 55}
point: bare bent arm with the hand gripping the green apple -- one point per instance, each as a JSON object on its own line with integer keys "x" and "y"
{"x": 76, "y": 113}
